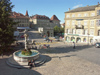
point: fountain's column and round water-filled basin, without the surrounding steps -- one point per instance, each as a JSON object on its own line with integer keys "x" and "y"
{"x": 19, "y": 57}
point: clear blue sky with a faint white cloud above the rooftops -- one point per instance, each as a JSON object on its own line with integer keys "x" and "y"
{"x": 50, "y": 7}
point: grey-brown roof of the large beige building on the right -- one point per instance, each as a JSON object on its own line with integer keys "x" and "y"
{"x": 87, "y": 8}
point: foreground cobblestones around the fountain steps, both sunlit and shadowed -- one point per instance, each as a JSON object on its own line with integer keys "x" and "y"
{"x": 59, "y": 64}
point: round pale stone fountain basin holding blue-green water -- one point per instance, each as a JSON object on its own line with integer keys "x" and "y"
{"x": 22, "y": 58}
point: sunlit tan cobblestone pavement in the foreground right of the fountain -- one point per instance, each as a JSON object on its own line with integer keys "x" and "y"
{"x": 65, "y": 64}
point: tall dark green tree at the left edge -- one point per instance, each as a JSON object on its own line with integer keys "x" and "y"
{"x": 6, "y": 24}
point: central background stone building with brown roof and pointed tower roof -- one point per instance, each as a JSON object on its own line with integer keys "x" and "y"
{"x": 44, "y": 21}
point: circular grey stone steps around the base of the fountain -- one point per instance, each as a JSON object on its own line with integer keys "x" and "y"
{"x": 11, "y": 62}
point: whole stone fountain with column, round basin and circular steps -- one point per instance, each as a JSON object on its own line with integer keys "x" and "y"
{"x": 20, "y": 59}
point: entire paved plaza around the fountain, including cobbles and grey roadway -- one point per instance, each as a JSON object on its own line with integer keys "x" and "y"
{"x": 62, "y": 59}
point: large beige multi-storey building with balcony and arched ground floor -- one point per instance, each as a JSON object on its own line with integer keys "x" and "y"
{"x": 83, "y": 24}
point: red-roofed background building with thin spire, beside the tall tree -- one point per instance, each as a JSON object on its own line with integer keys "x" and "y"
{"x": 22, "y": 19}
